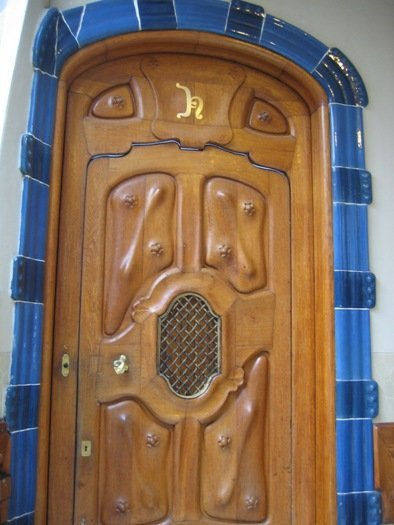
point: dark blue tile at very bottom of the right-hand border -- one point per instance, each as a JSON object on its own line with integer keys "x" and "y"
{"x": 359, "y": 508}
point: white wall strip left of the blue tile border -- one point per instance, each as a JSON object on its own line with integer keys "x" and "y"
{"x": 20, "y": 20}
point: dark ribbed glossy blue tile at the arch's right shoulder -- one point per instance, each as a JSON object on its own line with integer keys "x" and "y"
{"x": 340, "y": 79}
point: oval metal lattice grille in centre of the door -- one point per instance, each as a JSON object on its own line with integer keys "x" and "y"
{"x": 189, "y": 345}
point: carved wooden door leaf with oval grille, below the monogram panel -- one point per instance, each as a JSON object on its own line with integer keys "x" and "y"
{"x": 185, "y": 442}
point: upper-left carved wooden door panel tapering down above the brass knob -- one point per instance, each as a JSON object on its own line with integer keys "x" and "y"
{"x": 139, "y": 240}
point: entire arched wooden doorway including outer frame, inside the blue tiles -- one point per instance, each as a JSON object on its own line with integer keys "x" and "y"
{"x": 129, "y": 118}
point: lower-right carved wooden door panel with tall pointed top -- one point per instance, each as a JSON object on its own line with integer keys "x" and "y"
{"x": 233, "y": 484}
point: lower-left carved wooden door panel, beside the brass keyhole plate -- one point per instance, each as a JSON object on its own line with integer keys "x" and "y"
{"x": 134, "y": 447}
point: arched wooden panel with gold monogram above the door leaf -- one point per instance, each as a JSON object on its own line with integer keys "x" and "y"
{"x": 141, "y": 99}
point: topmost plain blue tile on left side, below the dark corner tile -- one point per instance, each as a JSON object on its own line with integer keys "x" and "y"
{"x": 42, "y": 107}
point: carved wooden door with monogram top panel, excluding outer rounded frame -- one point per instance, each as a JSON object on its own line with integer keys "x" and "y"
{"x": 174, "y": 296}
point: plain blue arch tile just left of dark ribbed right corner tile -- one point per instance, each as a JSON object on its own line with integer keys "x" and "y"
{"x": 291, "y": 42}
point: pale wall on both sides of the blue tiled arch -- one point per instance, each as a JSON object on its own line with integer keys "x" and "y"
{"x": 363, "y": 31}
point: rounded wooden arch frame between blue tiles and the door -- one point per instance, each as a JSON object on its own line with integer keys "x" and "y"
{"x": 318, "y": 278}
